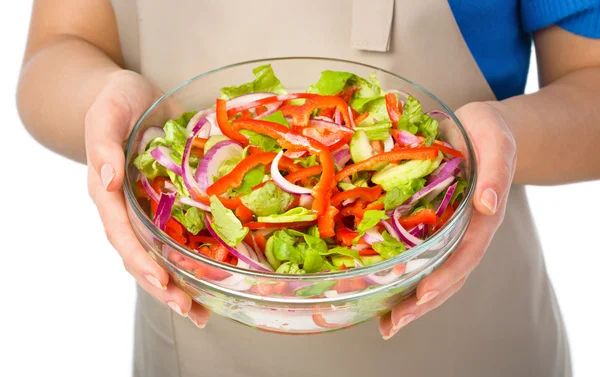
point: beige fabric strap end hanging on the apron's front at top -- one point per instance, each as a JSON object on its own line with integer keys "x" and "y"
{"x": 372, "y": 24}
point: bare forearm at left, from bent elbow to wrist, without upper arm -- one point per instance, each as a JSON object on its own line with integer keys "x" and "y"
{"x": 57, "y": 86}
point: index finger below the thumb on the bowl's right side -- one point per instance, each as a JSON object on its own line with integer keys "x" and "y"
{"x": 464, "y": 259}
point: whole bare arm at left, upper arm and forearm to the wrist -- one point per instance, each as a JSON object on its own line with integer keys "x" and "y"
{"x": 72, "y": 50}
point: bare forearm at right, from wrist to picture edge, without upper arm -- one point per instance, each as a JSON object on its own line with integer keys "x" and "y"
{"x": 557, "y": 130}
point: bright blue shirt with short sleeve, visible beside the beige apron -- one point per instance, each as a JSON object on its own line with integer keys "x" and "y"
{"x": 498, "y": 33}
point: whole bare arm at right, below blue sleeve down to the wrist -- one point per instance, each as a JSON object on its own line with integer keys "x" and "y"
{"x": 557, "y": 129}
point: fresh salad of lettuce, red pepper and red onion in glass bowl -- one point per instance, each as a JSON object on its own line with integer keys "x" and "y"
{"x": 340, "y": 176}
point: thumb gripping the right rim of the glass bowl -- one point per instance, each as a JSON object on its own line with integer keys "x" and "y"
{"x": 495, "y": 148}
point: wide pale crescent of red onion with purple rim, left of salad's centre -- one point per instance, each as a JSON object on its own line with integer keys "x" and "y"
{"x": 212, "y": 160}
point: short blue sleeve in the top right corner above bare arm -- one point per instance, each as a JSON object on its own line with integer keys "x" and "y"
{"x": 580, "y": 17}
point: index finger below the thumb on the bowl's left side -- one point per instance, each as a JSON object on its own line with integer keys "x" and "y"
{"x": 111, "y": 207}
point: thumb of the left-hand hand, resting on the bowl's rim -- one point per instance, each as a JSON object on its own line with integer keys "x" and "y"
{"x": 108, "y": 123}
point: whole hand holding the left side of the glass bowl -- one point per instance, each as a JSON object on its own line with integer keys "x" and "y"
{"x": 108, "y": 123}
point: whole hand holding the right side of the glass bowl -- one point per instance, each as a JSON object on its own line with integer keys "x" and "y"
{"x": 495, "y": 148}
